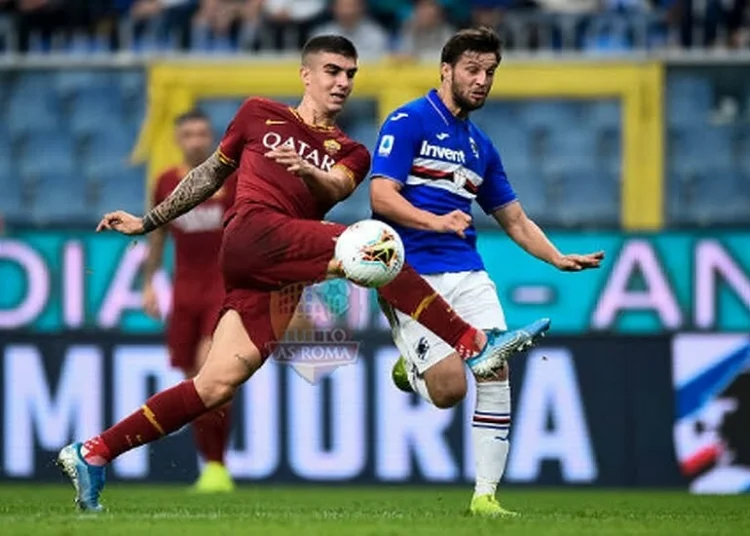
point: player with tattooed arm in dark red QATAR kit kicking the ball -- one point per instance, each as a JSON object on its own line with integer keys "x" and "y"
{"x": 294, "y": 165}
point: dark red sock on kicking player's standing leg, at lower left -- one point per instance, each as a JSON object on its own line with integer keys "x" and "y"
{"x": 161, "y": 415}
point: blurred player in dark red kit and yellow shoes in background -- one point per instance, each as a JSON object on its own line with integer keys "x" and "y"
{"x": 198, "y": 289}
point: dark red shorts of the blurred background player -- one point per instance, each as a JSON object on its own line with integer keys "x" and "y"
{"x": 190, "y": 322}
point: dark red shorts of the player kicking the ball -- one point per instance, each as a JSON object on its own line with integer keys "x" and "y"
{"x": 267, "y": 259}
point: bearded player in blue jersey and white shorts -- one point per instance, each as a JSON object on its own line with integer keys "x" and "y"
{"x": 430, "y": 163}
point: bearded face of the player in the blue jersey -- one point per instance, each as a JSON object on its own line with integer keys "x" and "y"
{"x": 471, "y": 79}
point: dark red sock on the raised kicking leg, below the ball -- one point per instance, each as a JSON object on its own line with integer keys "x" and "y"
{"x": 412, "y": 295}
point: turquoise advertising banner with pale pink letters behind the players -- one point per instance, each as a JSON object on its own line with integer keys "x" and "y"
{"x": 61, "y": 281}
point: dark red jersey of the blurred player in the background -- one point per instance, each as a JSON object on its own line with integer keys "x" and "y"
{"x": 197, "y": 234}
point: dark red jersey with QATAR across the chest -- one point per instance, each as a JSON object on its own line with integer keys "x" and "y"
{"x": 262, "y": 125}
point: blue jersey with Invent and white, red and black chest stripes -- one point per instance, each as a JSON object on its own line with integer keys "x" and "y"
{"x": 443, "y": 163}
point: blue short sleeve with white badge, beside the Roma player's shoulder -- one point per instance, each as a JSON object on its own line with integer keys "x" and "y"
{"x": 397, "y": 146}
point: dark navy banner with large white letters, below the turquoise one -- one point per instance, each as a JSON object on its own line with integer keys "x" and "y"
{"x": 589, "y": 411}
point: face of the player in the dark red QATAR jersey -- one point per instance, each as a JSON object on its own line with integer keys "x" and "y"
{"x": 329, "y": 80}
